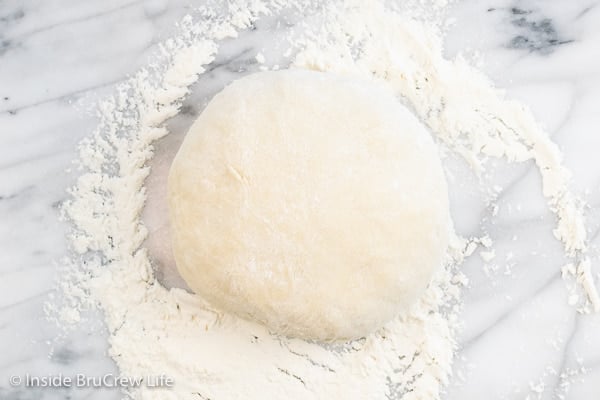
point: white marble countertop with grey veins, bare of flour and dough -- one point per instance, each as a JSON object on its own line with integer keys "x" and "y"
{"x": 520, "y": 338}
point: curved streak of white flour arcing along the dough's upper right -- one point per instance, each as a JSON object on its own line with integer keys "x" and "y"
{"x": 457, "y": 102}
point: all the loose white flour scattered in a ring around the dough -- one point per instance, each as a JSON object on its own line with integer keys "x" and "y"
{"x": 154, "y": 330}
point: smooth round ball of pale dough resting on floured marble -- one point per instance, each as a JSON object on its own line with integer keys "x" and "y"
{"x": 314, "y": 204}
